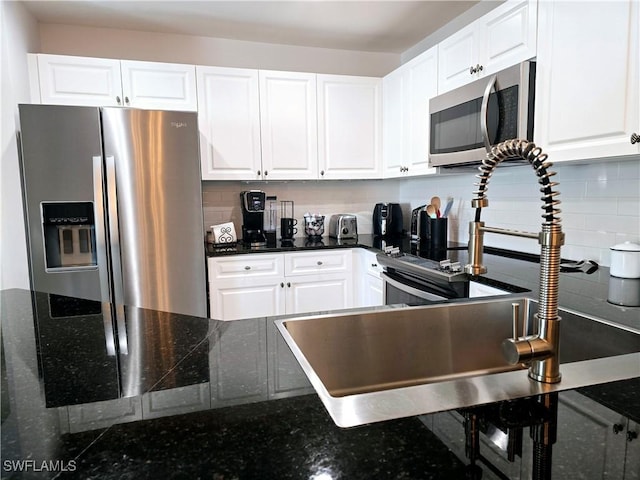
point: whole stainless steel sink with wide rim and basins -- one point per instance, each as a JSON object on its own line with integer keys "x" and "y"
{"x": 449, "y": 352}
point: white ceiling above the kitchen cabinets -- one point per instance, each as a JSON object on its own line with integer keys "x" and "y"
{"x": 376, "y": 26}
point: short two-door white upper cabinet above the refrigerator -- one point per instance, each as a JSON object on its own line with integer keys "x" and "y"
{"x": 102, "y": 82}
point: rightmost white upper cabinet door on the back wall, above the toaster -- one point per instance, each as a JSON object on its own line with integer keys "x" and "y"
{"x": 349, "y": 127}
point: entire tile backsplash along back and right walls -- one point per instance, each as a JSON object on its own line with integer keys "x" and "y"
{"x": 600, "y": 203}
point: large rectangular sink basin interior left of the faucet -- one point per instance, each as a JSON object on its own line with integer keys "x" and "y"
{"x": 390, "y": 349}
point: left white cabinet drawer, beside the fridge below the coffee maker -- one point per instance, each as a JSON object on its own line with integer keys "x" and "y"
{"x": 237, "y": 267}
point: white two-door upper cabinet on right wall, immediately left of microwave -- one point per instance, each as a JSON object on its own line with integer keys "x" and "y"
{"x": 406, "y": 94}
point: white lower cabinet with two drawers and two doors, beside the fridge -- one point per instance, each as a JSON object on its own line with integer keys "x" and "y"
{"x": 260, "y": 285}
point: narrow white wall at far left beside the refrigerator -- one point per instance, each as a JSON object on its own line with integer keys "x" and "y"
{"x": 19, "y": 35}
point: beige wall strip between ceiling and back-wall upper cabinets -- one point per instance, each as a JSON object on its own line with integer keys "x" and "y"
{"x": 160, "y": 47}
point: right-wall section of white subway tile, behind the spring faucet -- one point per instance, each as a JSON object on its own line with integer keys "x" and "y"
{"x": 600, "y": 205}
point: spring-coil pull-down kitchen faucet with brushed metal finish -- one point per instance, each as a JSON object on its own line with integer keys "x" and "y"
{"x": 541, "y": 350}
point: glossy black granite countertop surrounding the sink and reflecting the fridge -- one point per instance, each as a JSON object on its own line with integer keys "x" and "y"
{"x": 160, "y": 395}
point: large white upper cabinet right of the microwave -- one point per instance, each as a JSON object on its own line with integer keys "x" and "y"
{"x": 588, "y": 80}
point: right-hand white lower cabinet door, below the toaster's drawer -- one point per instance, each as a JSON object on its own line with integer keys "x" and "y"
{"x": 318, "y": 293}
